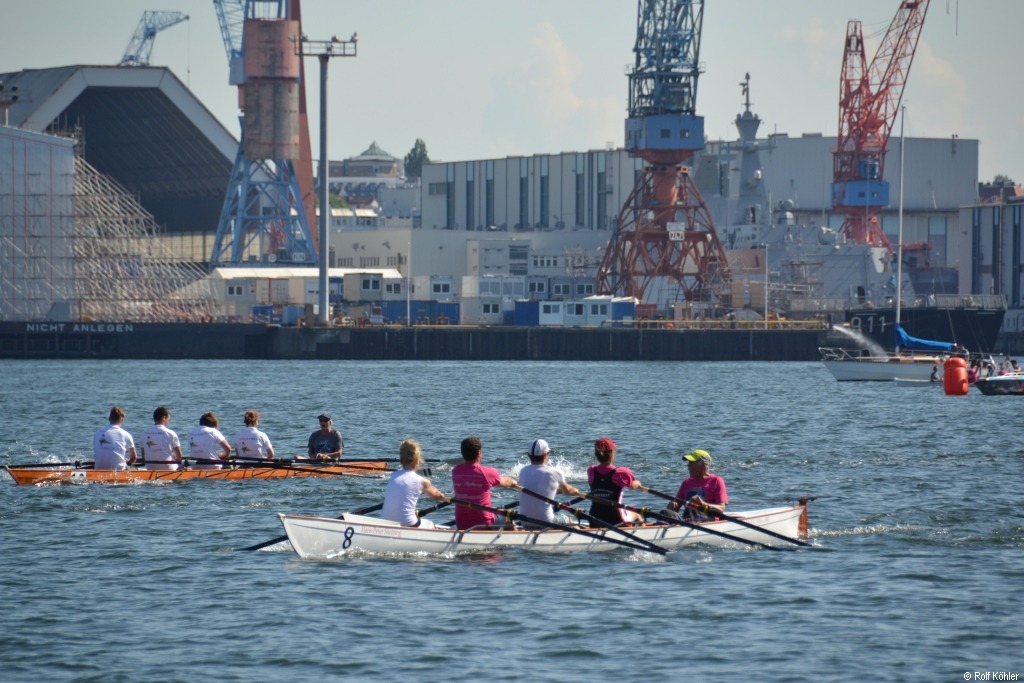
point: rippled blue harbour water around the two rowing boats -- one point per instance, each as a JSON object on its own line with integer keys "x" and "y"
{"x": 917, "y": 575}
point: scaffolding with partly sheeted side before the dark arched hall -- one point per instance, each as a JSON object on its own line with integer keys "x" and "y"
{"x": 76, "y": 246}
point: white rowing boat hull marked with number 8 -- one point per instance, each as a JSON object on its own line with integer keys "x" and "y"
{"x": 323, "y": 537}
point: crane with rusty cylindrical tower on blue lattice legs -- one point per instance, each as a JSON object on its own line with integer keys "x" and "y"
{"x": 270, "y": 198}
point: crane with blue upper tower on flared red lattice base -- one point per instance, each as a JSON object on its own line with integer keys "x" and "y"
{"x": 664, "y": 232}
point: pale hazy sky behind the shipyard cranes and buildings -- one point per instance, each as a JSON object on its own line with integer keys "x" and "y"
{"x": 483, "y": 79}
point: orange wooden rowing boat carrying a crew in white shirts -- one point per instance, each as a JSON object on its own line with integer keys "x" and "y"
{"x": 73, "y": 475}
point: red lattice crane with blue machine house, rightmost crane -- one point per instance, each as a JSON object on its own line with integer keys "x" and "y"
{"x": 869, "y": 100}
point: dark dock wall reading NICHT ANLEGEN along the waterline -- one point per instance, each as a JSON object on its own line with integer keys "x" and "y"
{"x": 163, "y": 341}
